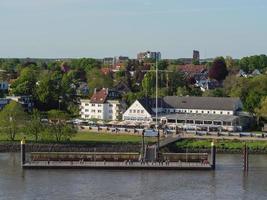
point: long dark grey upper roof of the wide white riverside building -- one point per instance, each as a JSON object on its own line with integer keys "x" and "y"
{"x": 206, "y": 103}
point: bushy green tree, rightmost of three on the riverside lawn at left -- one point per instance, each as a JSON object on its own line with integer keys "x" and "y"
{"x": 58, "y": 126}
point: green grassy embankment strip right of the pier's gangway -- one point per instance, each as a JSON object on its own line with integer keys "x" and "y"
{"x": 220, "y": 144}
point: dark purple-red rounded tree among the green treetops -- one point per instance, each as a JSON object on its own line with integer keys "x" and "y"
{"x": 218, "y": 71}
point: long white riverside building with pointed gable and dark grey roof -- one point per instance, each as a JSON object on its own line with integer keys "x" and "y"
{"x": 210, "y": 114}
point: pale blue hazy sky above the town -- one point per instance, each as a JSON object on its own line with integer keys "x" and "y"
{"x": 101, "y": 28}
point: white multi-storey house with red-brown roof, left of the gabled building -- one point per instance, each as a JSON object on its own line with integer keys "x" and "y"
{"x": 104, "y": 105}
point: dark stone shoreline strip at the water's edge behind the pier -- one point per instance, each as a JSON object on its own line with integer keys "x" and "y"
{"x": 9, "y": 147}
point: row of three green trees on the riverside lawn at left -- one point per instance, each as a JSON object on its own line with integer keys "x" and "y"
{"x": 14, "y": 121}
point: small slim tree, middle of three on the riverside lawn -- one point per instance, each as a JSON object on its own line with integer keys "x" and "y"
{"x": 35, "y": 127}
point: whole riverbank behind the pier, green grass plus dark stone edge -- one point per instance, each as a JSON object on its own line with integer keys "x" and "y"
{"x": 90, "y": 141}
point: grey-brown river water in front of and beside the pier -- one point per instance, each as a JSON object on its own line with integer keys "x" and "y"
{"x": 227, "y": 182}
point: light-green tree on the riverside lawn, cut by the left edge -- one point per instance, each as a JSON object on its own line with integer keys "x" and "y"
{"x": 12, "y": 120}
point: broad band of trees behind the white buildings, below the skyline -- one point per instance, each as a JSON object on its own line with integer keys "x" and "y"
{"x": 53, "y": 83}
